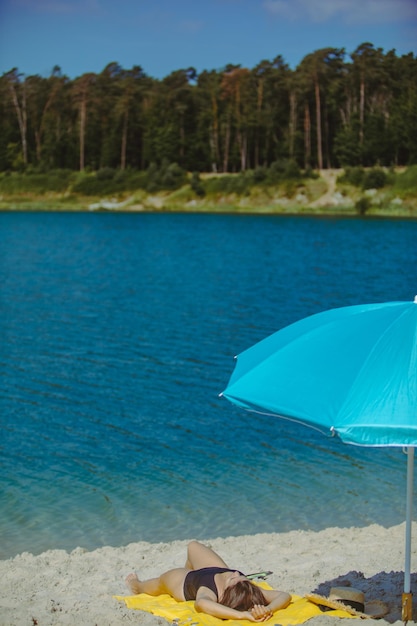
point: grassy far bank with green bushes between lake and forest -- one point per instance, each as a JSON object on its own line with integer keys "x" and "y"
{"x": 281, "y": 188}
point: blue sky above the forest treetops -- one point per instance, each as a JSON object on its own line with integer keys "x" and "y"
{"x": 165, "y": 35}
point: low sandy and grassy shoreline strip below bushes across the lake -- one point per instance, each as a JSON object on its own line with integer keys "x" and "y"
{"x": 321, "y": 197}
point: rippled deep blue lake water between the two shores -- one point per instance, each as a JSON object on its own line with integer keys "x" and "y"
{"x": 118, "y": 332}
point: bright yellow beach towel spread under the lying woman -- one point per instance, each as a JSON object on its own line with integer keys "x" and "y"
{"x": 183, "y": 613}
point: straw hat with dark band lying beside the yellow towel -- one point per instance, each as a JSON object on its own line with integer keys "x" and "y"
{"x": 350, "y": 600}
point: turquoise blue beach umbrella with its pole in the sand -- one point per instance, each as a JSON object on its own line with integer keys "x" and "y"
{"x": 349, "y": 372}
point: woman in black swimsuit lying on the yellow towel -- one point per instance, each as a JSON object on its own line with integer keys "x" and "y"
{"x": 216, "y": 589}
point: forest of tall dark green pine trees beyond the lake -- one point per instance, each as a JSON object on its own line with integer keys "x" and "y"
{"x": 333, "y": 110}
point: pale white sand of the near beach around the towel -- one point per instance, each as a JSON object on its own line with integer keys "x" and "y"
{"x": 77, "y": 588}
